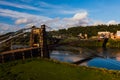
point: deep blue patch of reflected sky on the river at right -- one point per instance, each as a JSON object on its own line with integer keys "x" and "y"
{"x": 105, "y": 63}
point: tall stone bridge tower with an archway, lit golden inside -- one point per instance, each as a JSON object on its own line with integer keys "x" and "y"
{"x": 38, "y": 38}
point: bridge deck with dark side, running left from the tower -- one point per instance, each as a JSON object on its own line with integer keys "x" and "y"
{"x": 19, "y": 54}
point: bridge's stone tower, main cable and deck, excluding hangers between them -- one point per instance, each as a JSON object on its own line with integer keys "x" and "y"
{"x": 37, "y": 47}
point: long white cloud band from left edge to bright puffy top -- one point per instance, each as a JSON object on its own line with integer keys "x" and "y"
{"x": 78, "y": 19}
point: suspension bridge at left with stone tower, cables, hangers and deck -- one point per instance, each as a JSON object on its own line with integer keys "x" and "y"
{"x": 37, "y": 44}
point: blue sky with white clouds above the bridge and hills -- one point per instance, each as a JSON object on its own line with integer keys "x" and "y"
{"x": 57, "y": 14}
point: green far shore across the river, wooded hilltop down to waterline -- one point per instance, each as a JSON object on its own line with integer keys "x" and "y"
{"x": 71, "y": 36}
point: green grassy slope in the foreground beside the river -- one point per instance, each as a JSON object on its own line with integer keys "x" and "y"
{"x": 43, "y": 69}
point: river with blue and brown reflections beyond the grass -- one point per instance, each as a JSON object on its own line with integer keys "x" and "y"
{"x": 101, "y": 58}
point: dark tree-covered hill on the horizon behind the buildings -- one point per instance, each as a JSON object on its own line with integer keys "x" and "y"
{"x": 89, "y": 30}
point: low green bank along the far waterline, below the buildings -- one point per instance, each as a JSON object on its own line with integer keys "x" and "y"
{"x": 90, "y": 43}
